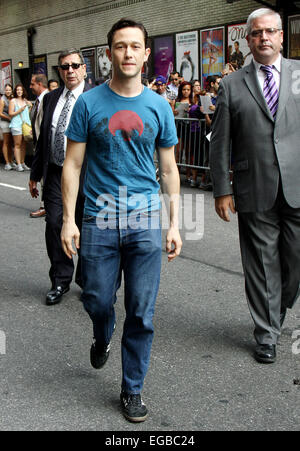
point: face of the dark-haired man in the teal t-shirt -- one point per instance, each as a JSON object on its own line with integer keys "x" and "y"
{"x": 128, "y": 53}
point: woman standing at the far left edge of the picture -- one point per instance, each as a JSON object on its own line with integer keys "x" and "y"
{"x": 4, "y": 123}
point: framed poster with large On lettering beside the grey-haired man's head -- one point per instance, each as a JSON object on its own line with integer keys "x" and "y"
{"x": 238, "y": 52}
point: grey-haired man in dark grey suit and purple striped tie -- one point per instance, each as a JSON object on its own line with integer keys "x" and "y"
{"x": 258, "y": 114}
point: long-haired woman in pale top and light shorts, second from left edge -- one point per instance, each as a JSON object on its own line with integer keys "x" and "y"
{"x": 18, "y": 110}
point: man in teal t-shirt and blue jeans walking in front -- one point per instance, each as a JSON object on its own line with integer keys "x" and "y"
{"x": 119, "y": 125}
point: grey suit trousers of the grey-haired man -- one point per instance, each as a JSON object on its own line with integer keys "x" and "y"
{"x": 270, "y": 249}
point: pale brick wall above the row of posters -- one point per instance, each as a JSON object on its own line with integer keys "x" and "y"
{"x": 62, "y": 24}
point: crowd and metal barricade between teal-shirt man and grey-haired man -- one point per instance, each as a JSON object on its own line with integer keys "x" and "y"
{"x": 185, "y": 98}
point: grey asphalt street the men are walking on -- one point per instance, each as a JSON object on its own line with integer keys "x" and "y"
{"x": 202, "y": 374}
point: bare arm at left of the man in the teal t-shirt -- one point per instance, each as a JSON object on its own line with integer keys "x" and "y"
{"x": 70, "y": 186}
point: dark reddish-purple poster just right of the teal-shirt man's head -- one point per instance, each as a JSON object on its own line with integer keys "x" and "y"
{"x": 163, "y": 55}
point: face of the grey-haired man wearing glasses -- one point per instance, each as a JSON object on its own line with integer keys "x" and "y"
{"x": 266, "y": 46}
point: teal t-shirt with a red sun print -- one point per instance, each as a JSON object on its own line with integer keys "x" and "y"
{"x": 121, "y": 134}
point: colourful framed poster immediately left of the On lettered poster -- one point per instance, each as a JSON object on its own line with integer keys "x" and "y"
{"x": 212, "y": 52}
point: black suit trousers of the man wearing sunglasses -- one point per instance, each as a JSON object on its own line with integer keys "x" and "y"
{"x": 62, "y": 268}
